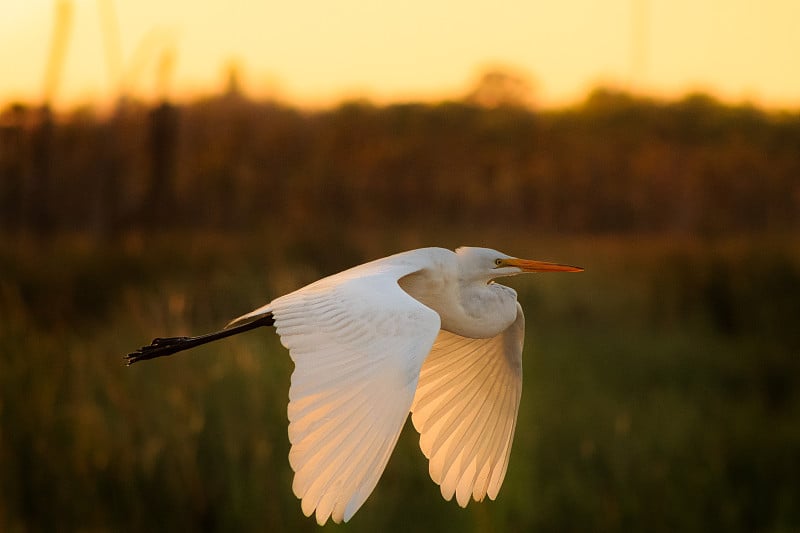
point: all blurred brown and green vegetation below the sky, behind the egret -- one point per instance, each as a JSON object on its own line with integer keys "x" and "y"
{"x": 661, "y": 385}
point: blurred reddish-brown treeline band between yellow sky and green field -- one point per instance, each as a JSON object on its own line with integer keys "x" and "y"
{"x": 615, "y": 163}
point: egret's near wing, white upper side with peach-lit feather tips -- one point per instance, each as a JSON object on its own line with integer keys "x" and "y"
{"x": 358, "y": 342}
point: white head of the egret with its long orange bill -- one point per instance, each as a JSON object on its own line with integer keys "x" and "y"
{"x": 487, "y": 264}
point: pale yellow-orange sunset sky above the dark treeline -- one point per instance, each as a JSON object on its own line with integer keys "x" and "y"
{"x": 315, "y": 52}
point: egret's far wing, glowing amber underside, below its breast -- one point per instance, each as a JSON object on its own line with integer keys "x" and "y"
{"x": 466, "y": 408}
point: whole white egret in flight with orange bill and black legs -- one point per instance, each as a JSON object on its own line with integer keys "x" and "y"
{"x": 425, "y": 331}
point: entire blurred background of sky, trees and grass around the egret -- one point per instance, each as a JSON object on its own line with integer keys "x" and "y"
{"x": 166, "y": 167}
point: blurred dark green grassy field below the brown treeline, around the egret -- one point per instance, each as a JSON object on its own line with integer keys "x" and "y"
{"x": 661, "y": 388}
